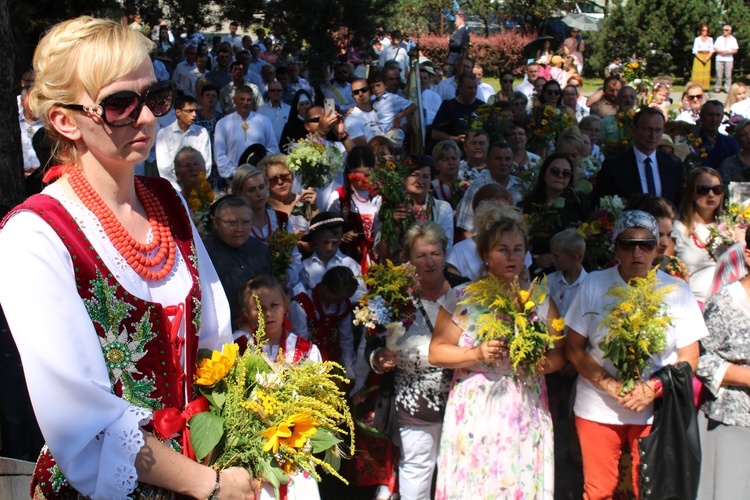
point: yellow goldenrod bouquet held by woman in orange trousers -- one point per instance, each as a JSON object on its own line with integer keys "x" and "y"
{"x": 637, "y": 325}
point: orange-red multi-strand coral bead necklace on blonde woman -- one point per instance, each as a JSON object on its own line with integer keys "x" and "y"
{"x": 133, "y": 251}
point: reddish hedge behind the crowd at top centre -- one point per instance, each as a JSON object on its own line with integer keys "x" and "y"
{"x": 494, "y": 53}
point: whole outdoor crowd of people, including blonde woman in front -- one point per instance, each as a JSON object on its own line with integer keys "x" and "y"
{"x": 170, "y": 182}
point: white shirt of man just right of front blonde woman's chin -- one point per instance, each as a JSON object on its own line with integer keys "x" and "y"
{"x": 170, "y": 139}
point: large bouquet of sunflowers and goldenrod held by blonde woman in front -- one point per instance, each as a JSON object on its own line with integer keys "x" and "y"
{"x": 269, "y": 416}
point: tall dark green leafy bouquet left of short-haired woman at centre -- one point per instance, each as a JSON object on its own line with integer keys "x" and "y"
{"x": 388, "y": 182}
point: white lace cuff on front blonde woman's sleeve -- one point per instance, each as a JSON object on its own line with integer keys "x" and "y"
{"x": 122, "y": 441}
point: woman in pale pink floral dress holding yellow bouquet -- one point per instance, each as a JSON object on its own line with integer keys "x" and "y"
{"x": 497, "y": 437}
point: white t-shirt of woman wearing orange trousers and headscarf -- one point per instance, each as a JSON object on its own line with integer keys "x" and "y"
{"x": 586, "y": 313}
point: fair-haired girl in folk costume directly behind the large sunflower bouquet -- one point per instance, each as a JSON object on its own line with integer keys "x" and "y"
{"x": 278, "y": 342}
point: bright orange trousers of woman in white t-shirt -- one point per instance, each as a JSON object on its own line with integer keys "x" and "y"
{"x": 601, "y": 447}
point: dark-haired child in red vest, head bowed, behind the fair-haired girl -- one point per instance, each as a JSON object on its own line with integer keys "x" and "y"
{"x": 323, "y": 315}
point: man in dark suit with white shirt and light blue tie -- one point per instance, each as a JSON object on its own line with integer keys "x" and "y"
{"x": 643, "y": 169}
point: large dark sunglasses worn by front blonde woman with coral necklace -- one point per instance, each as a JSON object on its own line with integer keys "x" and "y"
{"x": 123, "y": 108}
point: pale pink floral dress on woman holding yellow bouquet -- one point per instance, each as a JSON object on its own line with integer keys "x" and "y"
{"x": 497, "y": 437}
